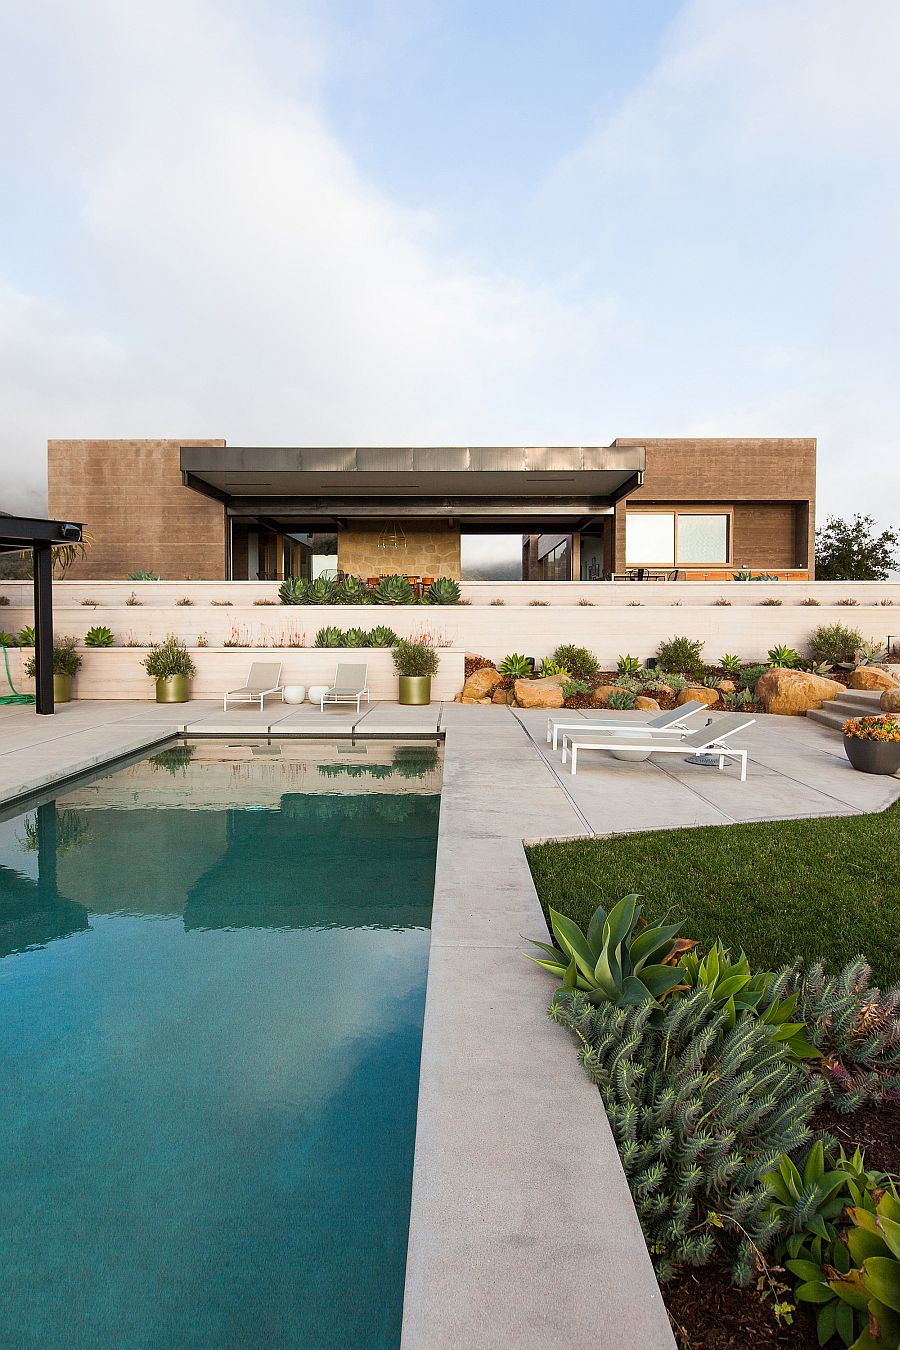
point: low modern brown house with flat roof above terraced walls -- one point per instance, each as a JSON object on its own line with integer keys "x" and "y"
{"x": 677, "y": 510}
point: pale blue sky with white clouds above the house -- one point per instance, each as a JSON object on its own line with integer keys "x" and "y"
{"x": 289, "y": 222}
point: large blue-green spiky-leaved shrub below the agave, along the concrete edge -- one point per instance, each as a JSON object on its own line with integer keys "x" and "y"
{"x": 700, "y": 1109}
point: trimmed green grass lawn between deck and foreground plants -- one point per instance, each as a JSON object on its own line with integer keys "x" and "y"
{"x": 825, "y": 889}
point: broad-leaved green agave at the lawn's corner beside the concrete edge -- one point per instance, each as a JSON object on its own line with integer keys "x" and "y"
{"x": 621, "y": 959}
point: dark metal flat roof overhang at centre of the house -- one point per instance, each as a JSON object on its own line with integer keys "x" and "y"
{"x": 480, "y": 485}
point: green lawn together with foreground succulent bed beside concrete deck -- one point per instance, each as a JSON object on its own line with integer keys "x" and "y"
{"x": 740, "y": 1086}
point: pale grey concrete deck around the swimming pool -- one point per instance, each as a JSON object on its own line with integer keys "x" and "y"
{"x": 522, "y": 1232}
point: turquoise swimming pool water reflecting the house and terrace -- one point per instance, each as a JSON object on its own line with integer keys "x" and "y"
{"x": 213, "y": 975}
